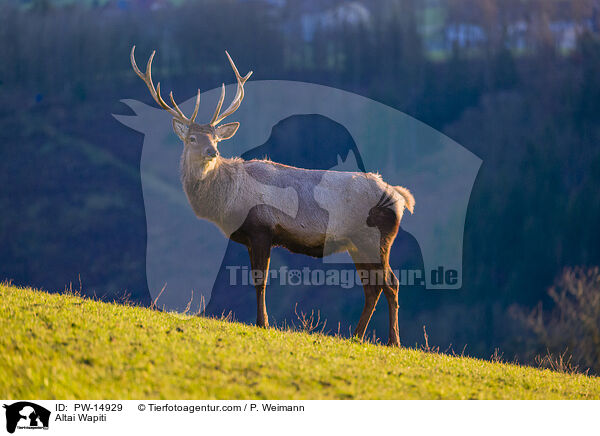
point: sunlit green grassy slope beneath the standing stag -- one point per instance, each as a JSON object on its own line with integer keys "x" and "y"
{"x": 63, "y": 346}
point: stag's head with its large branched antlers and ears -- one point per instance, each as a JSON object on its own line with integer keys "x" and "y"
{"x": 199, "y": 140}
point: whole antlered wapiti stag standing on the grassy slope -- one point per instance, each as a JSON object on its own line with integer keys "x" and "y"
{"x": 334, "y": 211}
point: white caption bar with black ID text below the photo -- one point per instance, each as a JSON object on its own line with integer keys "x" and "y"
{"x": 250, "y": 417}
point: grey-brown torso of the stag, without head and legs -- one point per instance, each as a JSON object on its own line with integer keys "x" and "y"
{"x": 231, "y": 188}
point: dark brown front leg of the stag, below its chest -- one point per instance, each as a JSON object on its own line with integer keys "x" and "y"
{"x": 260, "y": 255}
